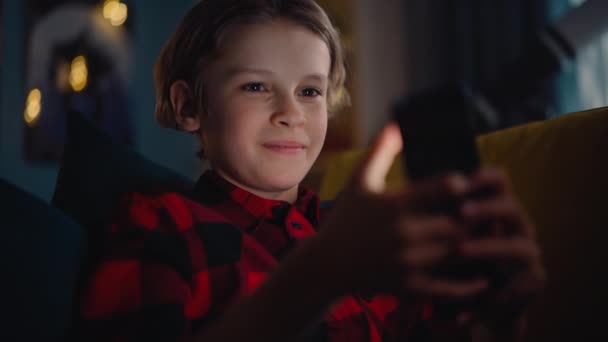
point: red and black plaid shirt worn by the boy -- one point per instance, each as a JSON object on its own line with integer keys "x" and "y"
{"x": 174, "y": 263}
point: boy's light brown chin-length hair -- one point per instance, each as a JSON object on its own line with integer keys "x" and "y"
{"x": 198, "y": 39}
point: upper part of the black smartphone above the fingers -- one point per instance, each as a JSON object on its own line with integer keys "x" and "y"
{"x": 438, "y": 129}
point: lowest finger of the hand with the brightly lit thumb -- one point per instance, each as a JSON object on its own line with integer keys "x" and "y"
{"x": 445, "y": 289}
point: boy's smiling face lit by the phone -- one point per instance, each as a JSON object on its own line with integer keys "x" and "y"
{"x": 267, "y": 107}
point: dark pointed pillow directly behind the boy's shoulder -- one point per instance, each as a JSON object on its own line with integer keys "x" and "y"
{"x": 95, "y": 172}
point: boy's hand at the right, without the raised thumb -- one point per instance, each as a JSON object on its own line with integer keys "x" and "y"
{"x": 512, "y": 245}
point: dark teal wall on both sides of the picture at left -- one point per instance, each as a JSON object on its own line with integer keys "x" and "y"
{"x": 154, "y": 20}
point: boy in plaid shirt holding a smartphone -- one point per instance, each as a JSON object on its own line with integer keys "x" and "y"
{"x": 245, "y": 257}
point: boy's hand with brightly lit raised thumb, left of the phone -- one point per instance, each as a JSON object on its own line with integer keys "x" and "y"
{"x": 389, "y": 242}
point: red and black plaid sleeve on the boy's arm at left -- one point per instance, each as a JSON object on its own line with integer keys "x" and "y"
{"x": 142, "y": 289}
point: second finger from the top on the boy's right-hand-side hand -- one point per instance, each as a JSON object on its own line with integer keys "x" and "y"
{"x": 500, "y": 209}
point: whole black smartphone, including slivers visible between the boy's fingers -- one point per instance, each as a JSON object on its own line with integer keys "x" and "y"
{"x": 439, "y": 130}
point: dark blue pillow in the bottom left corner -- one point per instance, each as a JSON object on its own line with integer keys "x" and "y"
{"x": 42, "y": 252}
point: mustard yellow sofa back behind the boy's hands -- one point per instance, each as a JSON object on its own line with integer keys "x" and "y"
{"x": 559, "y": 170}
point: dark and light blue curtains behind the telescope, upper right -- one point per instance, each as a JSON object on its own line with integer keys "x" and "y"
{"x": 471, "y": 41}
